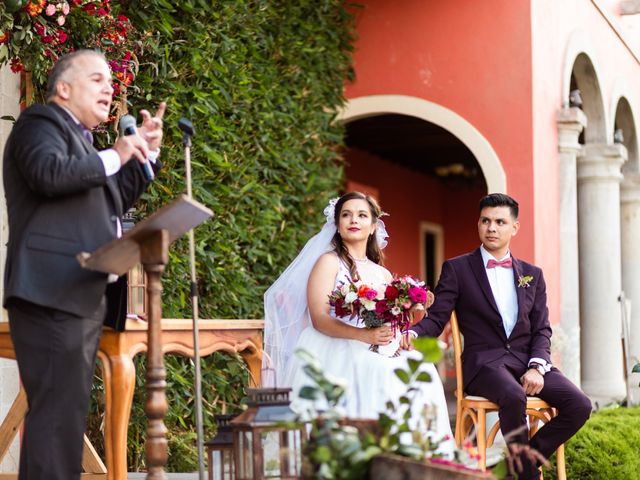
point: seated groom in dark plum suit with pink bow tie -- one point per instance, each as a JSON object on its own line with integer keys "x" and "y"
{"x": 501, "y": 305}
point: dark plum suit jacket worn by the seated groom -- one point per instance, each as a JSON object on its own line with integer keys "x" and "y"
{"x": 464, "y": 287}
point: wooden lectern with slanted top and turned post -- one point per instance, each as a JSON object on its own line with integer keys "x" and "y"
{"x": 148, "y": 243}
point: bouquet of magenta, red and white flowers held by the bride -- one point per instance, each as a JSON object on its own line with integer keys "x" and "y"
{"x": 391, "y": 304}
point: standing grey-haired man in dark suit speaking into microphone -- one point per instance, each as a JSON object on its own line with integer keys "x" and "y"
{"x": 64, "y": 197}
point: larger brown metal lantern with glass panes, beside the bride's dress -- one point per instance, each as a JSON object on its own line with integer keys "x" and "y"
{"x": 267, "y": 440}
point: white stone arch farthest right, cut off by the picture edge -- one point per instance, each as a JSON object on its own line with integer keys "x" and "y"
{"x": 621, "y": 110}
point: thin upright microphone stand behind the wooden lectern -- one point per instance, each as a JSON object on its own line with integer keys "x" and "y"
{"x": 188, "y": 131}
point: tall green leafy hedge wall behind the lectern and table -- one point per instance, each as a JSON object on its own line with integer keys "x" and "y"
{"x": 262, "y": 82}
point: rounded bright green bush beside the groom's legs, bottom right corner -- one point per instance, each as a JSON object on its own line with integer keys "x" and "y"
{"x": 605, "y": 447}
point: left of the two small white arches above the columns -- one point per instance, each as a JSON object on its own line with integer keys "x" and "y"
{"x": 581, "y": 61}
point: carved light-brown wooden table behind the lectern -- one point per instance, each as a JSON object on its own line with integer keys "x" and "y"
{"x": 116, "y": 353}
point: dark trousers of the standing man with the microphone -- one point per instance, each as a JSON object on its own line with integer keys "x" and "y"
{"x": 56, "y": 354}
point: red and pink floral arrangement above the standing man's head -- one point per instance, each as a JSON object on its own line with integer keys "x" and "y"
{"x": 35, "y": 33}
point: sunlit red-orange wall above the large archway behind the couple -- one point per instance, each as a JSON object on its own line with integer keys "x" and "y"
{"x": 473, "y": 59}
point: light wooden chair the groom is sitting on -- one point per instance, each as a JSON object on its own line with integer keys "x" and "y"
{"x": 471, "y": 412}
